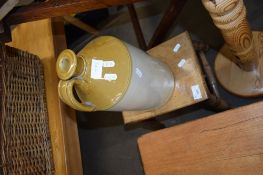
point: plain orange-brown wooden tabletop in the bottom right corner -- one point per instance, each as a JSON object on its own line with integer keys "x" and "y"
{"x": 226, "y": 143}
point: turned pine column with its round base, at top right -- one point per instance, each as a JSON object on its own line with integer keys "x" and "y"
{"x": 238, "y": 65}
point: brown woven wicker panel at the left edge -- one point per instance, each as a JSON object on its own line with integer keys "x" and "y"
{"x": 25, "y": 139}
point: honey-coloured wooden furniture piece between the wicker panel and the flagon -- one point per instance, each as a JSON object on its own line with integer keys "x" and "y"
{"x": 37, "y": 38}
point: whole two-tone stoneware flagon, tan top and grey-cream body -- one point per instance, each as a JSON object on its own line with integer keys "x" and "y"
{"x": 111, "y": 75}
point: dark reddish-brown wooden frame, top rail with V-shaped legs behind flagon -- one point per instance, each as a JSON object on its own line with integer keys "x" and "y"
{"x": 54, "y": 8}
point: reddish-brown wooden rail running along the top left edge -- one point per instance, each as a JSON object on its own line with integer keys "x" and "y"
{"x": 55, "y": 8}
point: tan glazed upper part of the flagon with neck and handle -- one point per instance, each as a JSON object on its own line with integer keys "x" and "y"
{"x": 100, "y": 74}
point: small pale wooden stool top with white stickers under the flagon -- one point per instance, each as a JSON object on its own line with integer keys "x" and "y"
{"x": 185, "y": 77}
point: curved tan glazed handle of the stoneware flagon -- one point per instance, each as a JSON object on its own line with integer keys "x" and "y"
{"x": 65, "y": 91}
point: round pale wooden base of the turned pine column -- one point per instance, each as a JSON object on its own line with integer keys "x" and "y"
{"x": 236, "y": 80}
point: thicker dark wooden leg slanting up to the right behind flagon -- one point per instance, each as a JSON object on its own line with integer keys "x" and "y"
{"x": 169, "y": 16}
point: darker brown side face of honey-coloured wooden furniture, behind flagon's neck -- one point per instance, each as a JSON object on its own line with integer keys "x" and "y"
{"x": 73, "y": 158}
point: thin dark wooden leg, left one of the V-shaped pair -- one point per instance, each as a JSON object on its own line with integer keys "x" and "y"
{"x": 137, "y": 27}
